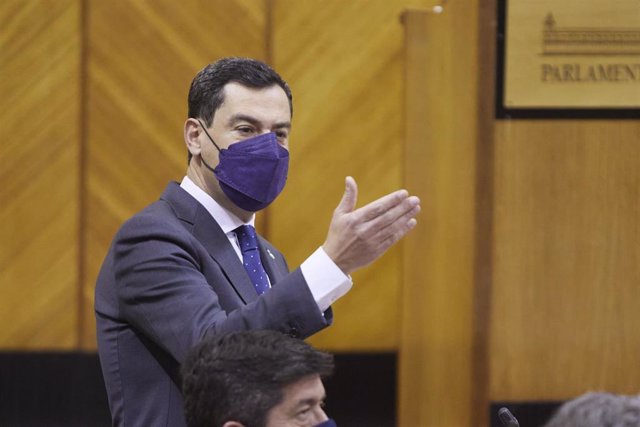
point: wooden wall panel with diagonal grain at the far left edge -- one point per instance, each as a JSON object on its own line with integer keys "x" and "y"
{"x": 39, "y": 65}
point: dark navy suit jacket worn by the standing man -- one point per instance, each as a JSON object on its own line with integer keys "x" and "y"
{"x": 170, "y": 278}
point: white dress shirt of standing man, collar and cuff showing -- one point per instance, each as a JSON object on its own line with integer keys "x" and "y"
{"x": 324, "y": 278}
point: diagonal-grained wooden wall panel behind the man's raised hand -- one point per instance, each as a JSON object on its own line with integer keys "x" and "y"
{"x": 343, "y": 62}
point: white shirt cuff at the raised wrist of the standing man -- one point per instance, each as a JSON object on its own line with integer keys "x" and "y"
{"x": 325, "y": 279}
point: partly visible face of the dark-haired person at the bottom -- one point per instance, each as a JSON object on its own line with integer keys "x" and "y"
{"x": 301, "y": 405}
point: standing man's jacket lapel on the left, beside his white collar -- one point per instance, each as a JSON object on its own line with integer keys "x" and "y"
{"x": 210, "y": 235}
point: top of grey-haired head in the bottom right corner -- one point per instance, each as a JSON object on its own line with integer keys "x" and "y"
{"x": 598, "y": 410}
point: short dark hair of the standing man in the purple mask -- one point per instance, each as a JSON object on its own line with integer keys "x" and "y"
{"x": 206, "y": 93}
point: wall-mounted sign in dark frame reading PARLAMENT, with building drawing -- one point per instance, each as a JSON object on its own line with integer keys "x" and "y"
{"x": 569, "y": 58}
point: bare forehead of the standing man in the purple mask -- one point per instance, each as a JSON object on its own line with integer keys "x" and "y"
{"x": 266, "y": 104}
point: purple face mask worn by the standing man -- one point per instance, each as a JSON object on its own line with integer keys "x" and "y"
{"x": 251, "y": 172}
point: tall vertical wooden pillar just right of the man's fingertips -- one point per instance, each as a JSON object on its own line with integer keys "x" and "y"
{"x": 436, "y": 376}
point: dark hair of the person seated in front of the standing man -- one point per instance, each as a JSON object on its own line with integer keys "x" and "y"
{"x": 240, "y": 376}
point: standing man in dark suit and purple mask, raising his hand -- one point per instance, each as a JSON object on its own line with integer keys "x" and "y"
{"x": 189, "y": 265}
